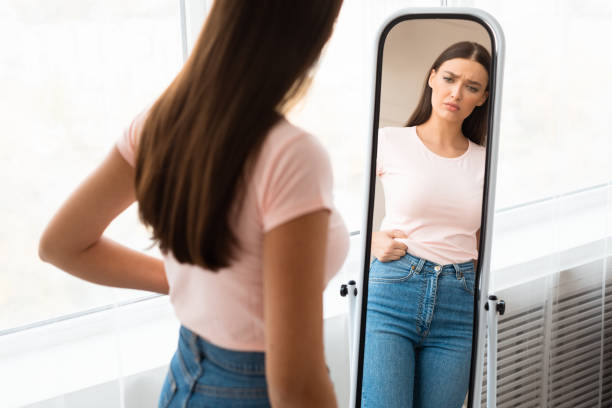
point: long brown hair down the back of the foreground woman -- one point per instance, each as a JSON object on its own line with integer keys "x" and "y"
{"x": 203, "y": 134}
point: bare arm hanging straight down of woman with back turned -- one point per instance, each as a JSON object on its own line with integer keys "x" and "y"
{"x": 294, "y": 256}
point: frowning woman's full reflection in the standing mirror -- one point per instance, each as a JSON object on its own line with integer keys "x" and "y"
{"x": 421, "y": 285}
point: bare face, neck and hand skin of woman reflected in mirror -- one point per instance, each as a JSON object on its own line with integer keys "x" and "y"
{"x": 458, "y": 86}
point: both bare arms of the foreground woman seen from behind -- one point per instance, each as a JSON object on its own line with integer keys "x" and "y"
{"x": 293, "y": 305}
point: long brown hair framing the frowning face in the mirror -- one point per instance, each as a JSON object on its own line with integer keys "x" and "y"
{"x": 474, "y": 127}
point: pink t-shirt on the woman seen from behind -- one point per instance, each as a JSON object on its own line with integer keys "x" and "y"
{"x": 292, "y": 177}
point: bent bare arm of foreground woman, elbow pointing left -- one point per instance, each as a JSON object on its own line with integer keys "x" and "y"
{"x": 73, "y": 239}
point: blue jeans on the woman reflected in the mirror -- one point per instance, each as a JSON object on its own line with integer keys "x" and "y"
{"x": 418, "y": 334}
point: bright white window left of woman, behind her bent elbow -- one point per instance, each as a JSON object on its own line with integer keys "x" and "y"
{"x": 74, "y": 74}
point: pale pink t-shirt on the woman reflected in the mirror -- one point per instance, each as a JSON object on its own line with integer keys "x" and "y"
{"x": 436, "y": 201}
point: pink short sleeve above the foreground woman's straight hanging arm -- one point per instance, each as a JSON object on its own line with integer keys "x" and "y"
{"x": 297, "y": 180}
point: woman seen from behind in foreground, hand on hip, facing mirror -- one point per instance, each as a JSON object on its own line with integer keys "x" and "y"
{"x": 239, "y": 201}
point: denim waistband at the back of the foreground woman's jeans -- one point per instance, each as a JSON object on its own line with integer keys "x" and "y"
{"x": 246, "y": 362}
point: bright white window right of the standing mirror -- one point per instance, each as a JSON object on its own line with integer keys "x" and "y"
{"x": 555, "y": 119}
